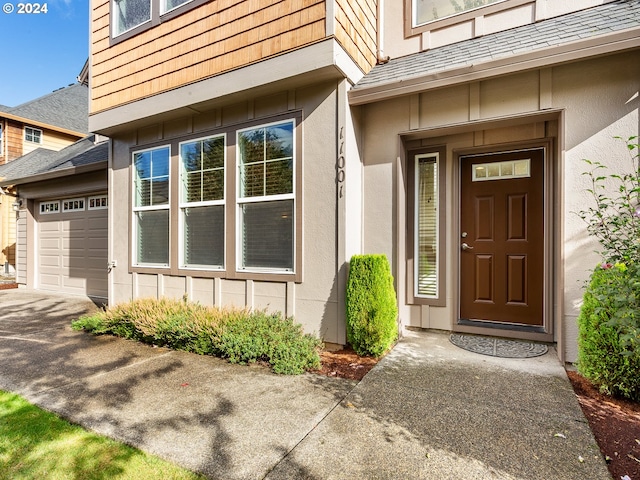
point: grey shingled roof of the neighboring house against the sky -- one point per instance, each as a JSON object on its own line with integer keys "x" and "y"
{"x": 66, "y": 108}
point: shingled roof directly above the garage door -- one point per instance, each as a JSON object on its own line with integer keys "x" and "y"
{"x": 40, "y": 164}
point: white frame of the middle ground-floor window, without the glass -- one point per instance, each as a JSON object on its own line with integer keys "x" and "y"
{"x": 182, "y": 205}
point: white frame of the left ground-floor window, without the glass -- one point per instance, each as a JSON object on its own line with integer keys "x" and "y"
{"x": 151, "y": 208}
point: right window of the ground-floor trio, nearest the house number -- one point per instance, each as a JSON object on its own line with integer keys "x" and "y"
{"x": 266, "y": 197}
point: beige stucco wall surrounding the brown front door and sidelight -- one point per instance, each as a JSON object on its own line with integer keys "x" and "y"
{"x": 596, "y": 99}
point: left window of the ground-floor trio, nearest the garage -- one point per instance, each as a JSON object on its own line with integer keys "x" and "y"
{"x": 151, "y": 206}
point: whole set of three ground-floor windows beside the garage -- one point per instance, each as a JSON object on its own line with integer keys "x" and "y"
{"x": 220, "y": 203}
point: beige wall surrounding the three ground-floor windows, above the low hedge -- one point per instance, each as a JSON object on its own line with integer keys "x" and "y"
{"x": 313, "y": 302}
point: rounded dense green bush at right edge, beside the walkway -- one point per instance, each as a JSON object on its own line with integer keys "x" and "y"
{"x": 609, "y": 330}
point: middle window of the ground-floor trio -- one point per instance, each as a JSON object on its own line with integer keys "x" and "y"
{"x": 202, "y": 202}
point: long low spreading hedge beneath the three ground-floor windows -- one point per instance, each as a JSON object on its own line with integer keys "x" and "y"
{"x": 239, "y": 335}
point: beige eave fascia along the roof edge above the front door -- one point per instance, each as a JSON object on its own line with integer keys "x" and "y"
{"x": 570, "y": 52}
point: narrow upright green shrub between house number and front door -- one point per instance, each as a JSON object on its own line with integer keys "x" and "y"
{"x": 372, "y": 310}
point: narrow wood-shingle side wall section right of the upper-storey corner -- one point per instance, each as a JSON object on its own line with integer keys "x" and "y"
{"x": 355, "y": 30}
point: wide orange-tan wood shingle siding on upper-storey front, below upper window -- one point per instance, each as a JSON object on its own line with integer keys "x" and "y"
{"x": 211, "y": 39}
